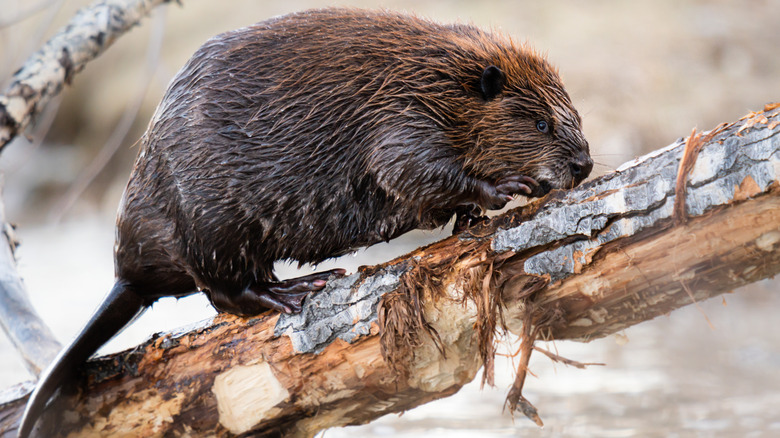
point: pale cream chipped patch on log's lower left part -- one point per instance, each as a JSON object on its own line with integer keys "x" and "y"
{"x": 246, "y": 395}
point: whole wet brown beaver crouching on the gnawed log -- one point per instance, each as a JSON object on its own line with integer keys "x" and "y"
{"x": 307, "y": 136}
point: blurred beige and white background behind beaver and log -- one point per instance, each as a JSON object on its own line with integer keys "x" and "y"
{"x": 642, "y": 74}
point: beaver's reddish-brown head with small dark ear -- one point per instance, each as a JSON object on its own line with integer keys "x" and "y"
{"x": 524, "y": 123}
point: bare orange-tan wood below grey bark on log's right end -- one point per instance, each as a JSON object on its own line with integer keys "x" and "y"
{"x": 653, "y": 276}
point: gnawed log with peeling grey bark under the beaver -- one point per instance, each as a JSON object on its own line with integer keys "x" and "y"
{"x": 687, "y": 222}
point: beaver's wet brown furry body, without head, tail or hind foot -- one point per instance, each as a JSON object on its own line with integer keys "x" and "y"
{"x": 310, "y": 135}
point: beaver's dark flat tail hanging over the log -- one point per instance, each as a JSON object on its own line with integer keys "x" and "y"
{"x": 118, "y": 309}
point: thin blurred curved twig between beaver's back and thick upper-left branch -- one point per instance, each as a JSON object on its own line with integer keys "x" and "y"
{"x": 123, "y": 126}
